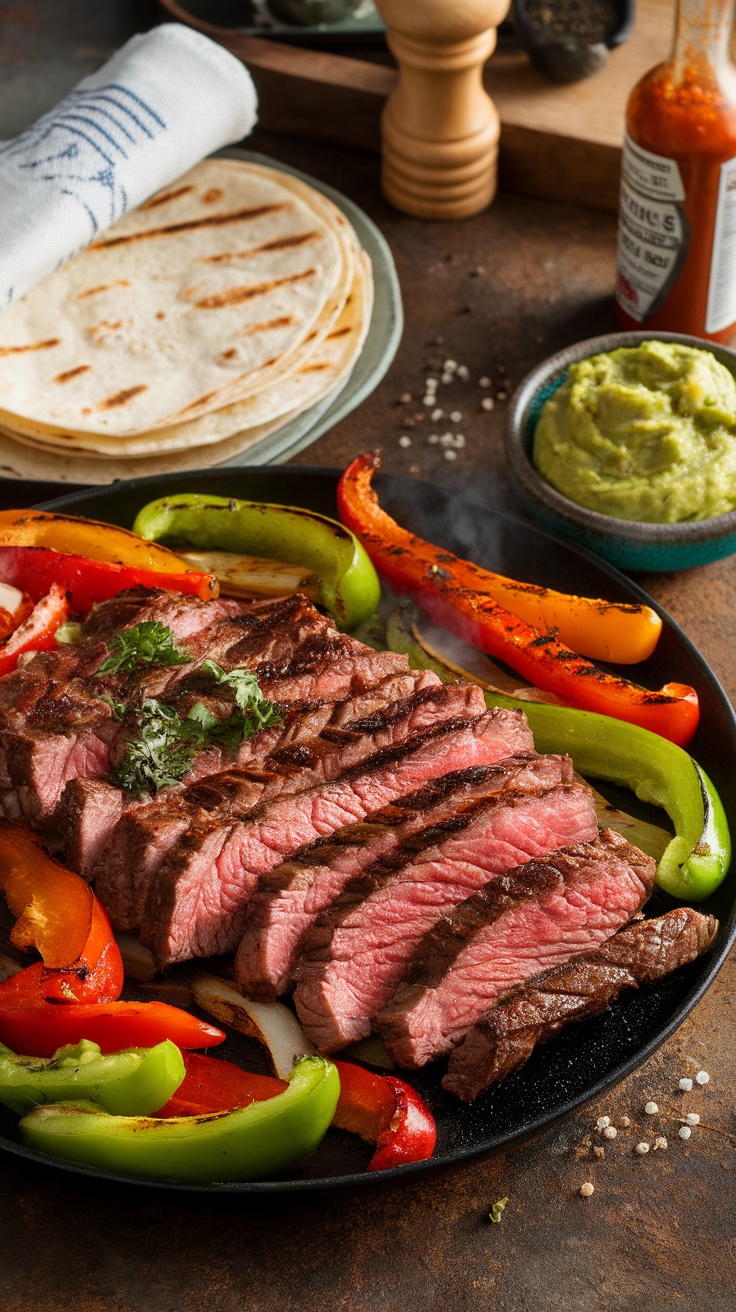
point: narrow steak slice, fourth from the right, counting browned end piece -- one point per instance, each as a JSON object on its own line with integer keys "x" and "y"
{"x": 291, "y": 898}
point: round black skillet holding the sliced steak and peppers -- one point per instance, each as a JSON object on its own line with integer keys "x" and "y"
{"x": 590, "y": 1057}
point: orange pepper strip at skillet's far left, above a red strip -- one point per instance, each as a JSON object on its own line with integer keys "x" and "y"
{"x": 104, "y": 543}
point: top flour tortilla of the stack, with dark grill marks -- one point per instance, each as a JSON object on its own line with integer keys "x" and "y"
{"x": 200, "y": 298}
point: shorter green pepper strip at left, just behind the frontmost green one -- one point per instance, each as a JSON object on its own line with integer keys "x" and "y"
{"x": 134, "y": 1083}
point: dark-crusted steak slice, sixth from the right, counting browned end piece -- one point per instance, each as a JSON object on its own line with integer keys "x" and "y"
{"x": 145, "y": 835}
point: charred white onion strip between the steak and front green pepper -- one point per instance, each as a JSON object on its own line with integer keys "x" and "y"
{"x": 272, "y": 1024}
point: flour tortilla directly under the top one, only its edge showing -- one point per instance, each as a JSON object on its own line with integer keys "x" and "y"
{"x": 329, "y": 364}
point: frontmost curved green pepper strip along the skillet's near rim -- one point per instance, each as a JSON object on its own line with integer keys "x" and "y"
{"x": 245, "y": 1145}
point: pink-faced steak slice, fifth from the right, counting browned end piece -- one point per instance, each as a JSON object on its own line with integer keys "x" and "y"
{"x": 197, "y": 903}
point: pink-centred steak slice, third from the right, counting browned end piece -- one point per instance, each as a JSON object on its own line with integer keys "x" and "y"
{"x": 359, "y": 952}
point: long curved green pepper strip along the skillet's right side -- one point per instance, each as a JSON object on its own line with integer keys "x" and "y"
{"x": 697, "y": 859}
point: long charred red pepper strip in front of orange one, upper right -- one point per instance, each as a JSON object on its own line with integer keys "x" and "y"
{"x": 431, "y": 578}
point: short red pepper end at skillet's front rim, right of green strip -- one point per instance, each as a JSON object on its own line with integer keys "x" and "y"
{"x": 385, "y": 1112}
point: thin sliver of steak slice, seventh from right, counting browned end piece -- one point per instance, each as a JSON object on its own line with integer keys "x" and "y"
{"x": 91, "y": 809}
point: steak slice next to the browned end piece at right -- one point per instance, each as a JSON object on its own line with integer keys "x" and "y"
{"x": 537, "y": 918}
